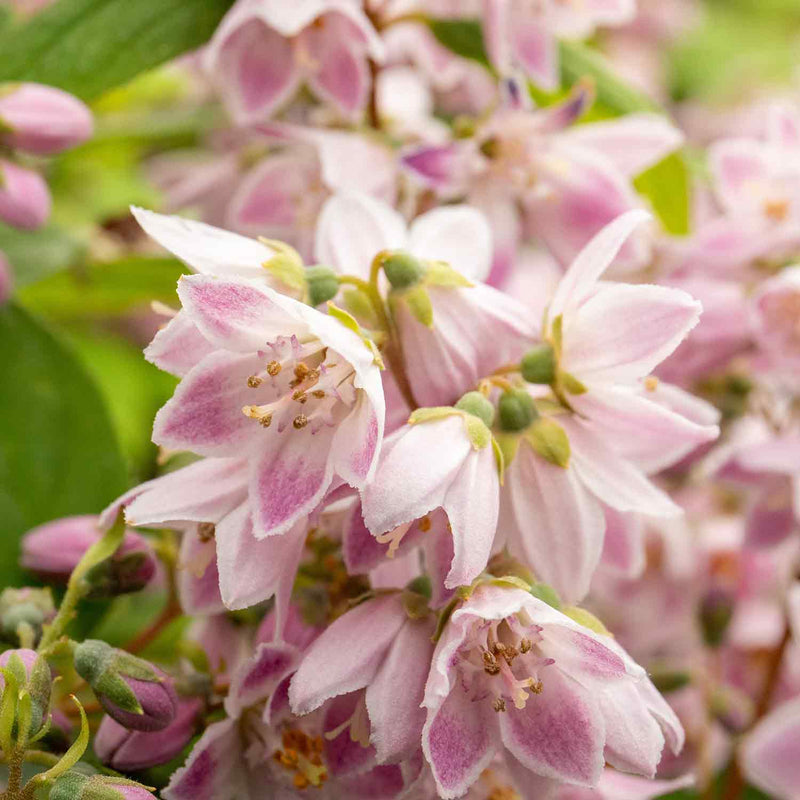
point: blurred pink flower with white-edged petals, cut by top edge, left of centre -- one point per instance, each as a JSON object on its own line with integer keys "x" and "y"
{"x": 263, "y": 50}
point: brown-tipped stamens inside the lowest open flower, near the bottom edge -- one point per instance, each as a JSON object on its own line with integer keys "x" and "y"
{"x": 502, "y": 662}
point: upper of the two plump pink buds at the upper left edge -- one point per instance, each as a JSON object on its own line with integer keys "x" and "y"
{"x": 43, "y": 120}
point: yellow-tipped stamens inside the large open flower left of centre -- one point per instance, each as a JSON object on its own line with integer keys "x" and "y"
{"x": 307, "y": 386}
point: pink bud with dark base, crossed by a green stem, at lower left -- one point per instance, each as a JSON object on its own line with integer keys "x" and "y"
{"x": 53, "y": 550}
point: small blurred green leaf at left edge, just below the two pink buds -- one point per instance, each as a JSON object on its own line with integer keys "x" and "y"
{"x": 36, "y": 254}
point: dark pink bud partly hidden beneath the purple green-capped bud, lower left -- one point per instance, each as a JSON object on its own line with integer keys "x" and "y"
{"x": 128, "y": 751}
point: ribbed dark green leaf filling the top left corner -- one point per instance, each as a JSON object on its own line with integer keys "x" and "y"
{"x": 89, "y": 46}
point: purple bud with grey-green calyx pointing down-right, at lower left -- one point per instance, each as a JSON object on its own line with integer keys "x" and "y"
{"x": 132, "y": 691}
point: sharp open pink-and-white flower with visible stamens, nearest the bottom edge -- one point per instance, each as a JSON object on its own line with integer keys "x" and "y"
{"x": 511, "y": 674}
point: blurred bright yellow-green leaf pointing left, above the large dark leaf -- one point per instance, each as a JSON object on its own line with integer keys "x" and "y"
{"x": 105, "y": 289}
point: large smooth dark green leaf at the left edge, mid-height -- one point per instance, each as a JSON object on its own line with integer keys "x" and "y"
{"x": 58, "y": 451}
